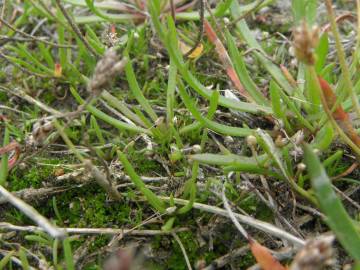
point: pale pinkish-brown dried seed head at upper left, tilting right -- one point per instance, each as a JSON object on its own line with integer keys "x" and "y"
{"x": 105, "y": 70}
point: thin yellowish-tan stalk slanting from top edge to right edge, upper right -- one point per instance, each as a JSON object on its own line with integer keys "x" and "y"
{"x": 342, "y": 59}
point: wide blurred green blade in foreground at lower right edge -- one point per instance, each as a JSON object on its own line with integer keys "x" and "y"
{"x": 336, "y": 215}
